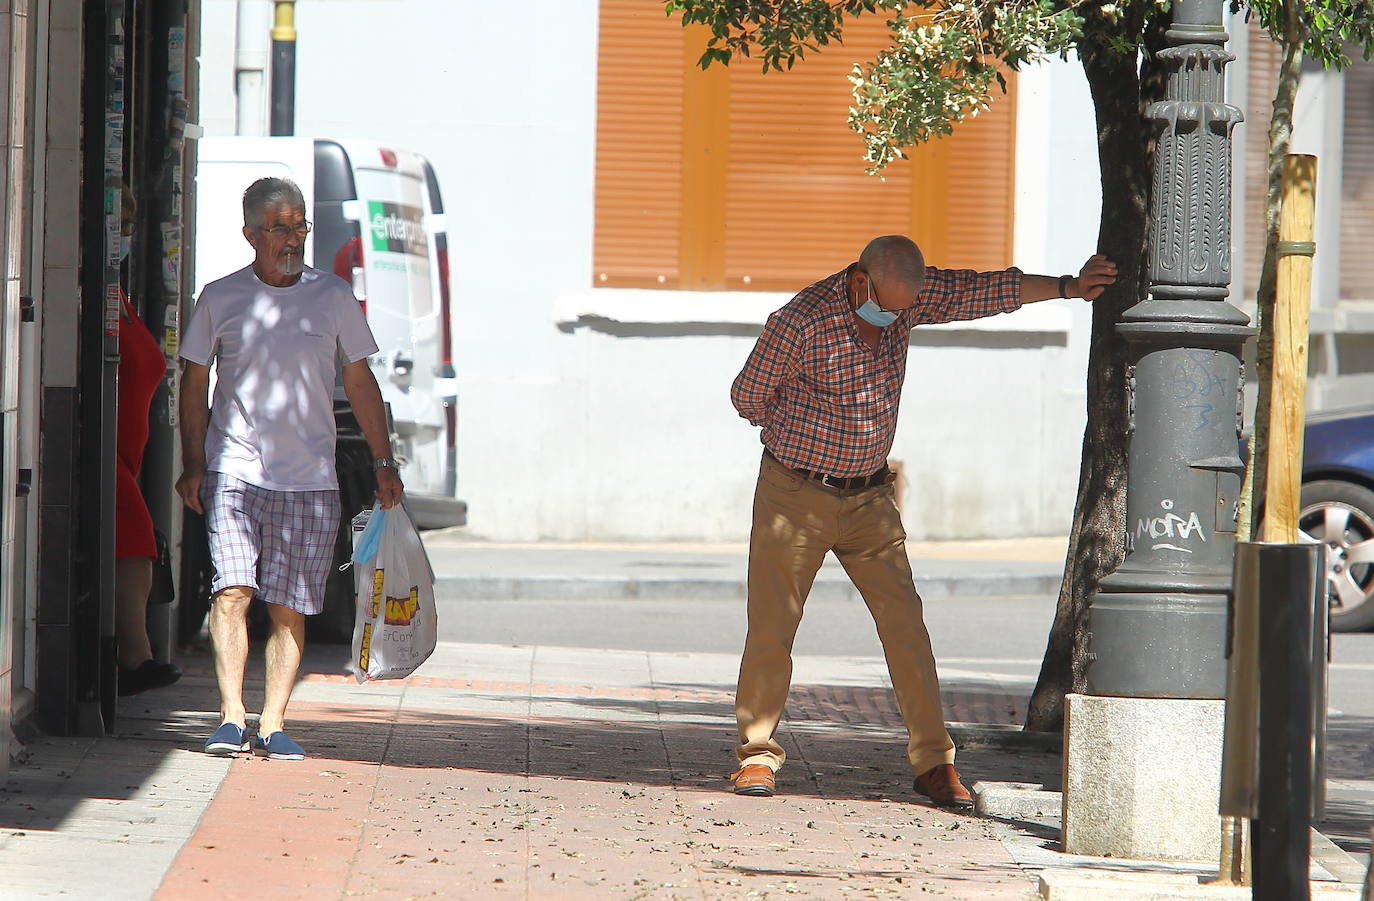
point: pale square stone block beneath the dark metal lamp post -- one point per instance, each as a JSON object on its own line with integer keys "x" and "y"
{"x": 1142, "y": 778}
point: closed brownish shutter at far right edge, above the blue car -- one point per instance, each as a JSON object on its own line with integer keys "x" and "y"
{"x": 1358, "y": 185}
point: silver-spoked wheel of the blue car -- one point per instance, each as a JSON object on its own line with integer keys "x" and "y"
{"x": 1342, "y": 517}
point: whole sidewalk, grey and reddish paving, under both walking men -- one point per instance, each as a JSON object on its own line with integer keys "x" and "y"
{"x": 502, "y": 773}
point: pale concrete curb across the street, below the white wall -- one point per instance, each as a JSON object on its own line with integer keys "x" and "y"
{"x": 686, "y": 589}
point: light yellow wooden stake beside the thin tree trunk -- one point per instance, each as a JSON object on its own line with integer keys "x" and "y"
{"x": 1288, "y": 399}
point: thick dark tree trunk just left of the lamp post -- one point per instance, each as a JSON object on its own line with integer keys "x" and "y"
{"x": 1126, "y": 141}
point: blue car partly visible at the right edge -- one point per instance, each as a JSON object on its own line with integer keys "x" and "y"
{"x": 1338, "y": 510}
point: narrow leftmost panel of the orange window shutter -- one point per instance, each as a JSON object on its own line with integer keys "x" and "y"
{"x": 640, "y": 124}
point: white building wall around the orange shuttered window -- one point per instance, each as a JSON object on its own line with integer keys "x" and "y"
{"x": 578, "y": 425}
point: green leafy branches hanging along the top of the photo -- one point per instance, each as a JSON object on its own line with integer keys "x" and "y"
{"x": 946, "y": 57}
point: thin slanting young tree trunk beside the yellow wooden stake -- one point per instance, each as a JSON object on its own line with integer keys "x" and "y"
{"x": 1281, "y": 134}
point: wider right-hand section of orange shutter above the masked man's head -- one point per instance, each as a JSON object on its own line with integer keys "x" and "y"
{"x": 800, "y": 204}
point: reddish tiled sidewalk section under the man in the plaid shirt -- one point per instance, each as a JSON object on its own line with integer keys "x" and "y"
{"x": 583, "y": 775}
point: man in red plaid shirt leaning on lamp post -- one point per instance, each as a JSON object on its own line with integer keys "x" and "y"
{"x": 824, "y": 383}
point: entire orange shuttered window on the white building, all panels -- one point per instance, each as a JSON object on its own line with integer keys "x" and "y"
{"x": 770, "y": 189}
